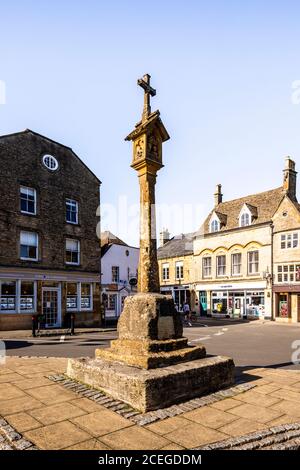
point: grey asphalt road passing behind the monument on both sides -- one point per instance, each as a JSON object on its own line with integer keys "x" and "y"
{"x": 253, "y": 344}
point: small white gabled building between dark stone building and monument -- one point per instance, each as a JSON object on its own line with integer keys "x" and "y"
{"x": 119, "y": 273}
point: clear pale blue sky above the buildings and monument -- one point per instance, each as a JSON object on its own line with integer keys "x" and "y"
{"x": 223, "y": 72}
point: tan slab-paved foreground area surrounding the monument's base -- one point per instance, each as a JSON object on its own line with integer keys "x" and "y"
{"x": 38, "y": 413}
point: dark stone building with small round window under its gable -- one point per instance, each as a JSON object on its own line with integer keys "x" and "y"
{"x": 49, "y": 250}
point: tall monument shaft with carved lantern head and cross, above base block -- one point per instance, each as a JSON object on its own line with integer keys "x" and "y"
{"x": 147, "y": 138}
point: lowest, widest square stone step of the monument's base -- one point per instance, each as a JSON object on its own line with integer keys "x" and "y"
{"x": 147, "y": 390}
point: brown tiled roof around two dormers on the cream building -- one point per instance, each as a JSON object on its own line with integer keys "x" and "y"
{"x": 262, "y": 206}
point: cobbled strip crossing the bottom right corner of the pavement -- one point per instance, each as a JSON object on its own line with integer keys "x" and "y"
{"x": 284, "y": 437}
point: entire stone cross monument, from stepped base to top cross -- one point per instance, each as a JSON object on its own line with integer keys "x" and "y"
{"x": 151, "y": 365}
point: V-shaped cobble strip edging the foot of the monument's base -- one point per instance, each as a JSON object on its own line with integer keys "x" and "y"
{"x": 142, "y": 419}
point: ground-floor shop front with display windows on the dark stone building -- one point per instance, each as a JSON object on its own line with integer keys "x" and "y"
{"x": 50, "y": 297}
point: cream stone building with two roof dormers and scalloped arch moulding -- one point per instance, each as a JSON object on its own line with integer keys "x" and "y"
{"x": 233, "y": 259}
